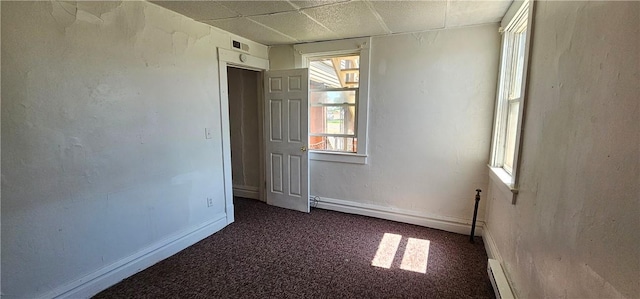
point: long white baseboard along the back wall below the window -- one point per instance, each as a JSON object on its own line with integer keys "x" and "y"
{"x": 450, "y": 224}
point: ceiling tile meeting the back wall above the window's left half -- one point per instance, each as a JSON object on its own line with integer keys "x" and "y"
{"x": 305, "y": 29}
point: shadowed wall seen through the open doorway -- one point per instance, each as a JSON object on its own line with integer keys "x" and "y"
{"x": 245, "y": 131}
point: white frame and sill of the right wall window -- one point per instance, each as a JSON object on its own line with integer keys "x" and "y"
{"x": 519, "y": 15}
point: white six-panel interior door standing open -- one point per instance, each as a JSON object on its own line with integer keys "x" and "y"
{"x": 286, "y": 129}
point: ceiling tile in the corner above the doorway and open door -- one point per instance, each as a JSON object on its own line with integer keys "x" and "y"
{"x": 251, "y": 30}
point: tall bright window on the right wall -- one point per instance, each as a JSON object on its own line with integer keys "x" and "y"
{"x": 511, "y": 91}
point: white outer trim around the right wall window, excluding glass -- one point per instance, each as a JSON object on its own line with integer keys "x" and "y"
{"x": 497, "y": 173}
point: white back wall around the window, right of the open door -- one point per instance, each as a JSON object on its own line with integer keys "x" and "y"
{"x": 430, "y": 117}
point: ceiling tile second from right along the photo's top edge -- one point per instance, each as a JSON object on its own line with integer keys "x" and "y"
{"x": 411, "y": 16}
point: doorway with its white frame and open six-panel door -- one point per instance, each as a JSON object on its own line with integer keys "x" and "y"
{"x": 282, "y": 116}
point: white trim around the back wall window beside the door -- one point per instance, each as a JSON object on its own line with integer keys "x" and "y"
{"x": 303, "y": 52}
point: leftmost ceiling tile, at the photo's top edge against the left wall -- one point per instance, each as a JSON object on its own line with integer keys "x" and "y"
{"x": 198, "y": 10}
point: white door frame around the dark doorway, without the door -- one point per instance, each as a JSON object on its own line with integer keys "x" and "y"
{"x": 228, "y": 58}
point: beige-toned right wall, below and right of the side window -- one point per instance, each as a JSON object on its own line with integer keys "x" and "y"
{"x": 573, "y": 232}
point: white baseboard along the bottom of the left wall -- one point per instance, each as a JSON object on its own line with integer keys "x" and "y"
{"x": 101, "y": 279}
